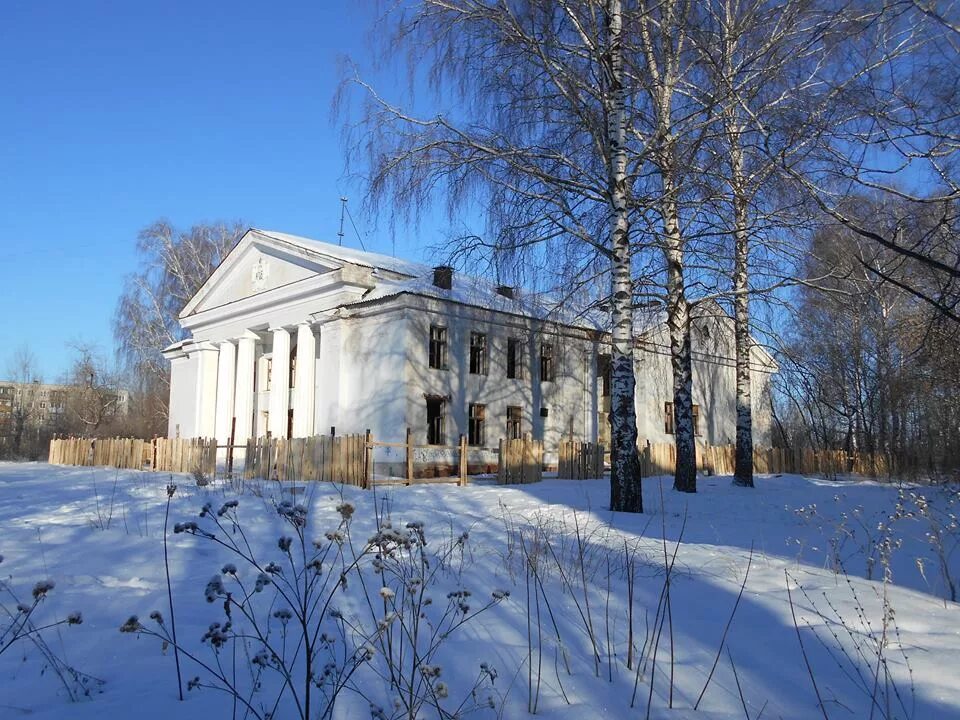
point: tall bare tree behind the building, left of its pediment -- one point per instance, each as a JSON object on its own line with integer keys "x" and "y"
{"x": 173, "y": 266}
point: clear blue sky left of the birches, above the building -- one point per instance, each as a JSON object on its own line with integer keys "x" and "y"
{"x": 116, "y": 114}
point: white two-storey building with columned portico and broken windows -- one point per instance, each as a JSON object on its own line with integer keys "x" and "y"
{"x": 293, "y": 337}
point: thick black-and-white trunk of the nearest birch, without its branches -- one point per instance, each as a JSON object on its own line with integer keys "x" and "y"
{"x": 625, "y": 492}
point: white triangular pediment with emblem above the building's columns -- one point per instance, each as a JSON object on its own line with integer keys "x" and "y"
{"x": 257, "y": 264}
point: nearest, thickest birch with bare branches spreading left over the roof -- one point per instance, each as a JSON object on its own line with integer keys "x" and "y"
{"x": 535, "y": 140}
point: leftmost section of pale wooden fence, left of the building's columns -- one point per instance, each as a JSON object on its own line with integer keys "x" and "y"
{"x": 159, "y": 454}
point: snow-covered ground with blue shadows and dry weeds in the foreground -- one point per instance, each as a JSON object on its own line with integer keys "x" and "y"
{"x": 880, "y": 647}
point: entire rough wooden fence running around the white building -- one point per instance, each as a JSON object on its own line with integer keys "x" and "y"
{"x": 349, "y": 459}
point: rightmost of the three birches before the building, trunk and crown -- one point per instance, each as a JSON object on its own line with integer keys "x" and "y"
{"x": 759, "y": 56}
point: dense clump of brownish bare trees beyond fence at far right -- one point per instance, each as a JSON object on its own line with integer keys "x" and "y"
{"x": 876, "y": 366}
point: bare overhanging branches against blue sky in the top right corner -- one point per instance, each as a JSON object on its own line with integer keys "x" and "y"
{"x": 888, "y": 119}
